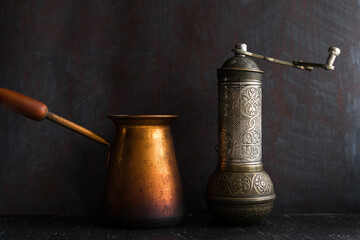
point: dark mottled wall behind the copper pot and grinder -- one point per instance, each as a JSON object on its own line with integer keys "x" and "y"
{"x": 88, "y": 59}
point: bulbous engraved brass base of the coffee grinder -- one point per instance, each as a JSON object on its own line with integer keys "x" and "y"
{"x": 240, "y": 195}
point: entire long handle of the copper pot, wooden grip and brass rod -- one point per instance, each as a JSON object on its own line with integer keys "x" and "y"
{"x": 38, "y": 111}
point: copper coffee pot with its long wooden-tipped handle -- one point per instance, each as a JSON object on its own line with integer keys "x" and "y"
{"x": 143, "y": 187}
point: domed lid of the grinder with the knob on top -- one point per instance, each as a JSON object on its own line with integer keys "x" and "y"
{"x": 240, "y": 62}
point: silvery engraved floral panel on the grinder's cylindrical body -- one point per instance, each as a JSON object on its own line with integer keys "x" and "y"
{"x": 240, "y": 124}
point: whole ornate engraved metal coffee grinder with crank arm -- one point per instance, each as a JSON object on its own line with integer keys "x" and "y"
{"x": 240, "y": 191}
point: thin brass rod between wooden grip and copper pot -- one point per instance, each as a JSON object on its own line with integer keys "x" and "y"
{"x": 76, "y": 128}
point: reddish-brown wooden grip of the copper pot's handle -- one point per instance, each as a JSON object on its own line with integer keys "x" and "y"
{"x": 23, "y": 105}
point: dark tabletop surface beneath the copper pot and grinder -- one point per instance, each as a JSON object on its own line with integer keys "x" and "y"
{"x": 327, "y": 226}
